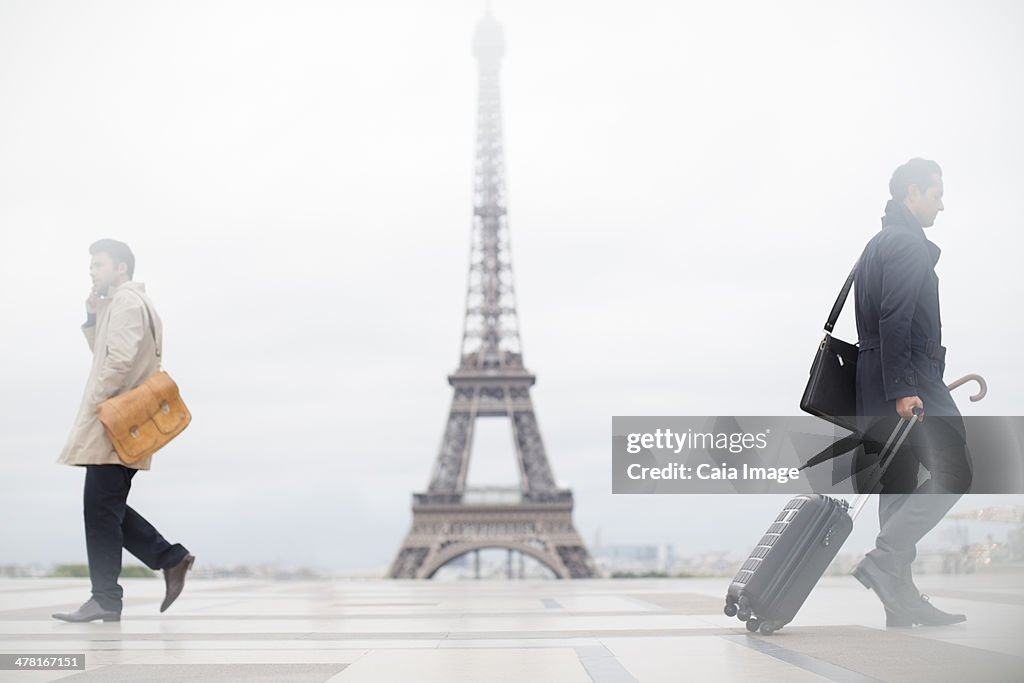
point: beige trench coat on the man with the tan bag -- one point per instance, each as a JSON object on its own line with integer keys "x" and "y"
{"x": 124, "y": 355}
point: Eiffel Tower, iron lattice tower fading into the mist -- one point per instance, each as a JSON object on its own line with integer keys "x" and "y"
{"x": 536, "y": 518}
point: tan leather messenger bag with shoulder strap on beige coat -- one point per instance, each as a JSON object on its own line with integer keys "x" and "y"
{"x": 142, "y": 421}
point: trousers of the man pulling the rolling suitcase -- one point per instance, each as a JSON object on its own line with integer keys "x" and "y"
{"x": 905, "y": 519}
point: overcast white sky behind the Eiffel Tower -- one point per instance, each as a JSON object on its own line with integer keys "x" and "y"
{"x": 690, "y": 185}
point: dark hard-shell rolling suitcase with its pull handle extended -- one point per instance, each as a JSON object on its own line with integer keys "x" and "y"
{"x": 794, "y": 553}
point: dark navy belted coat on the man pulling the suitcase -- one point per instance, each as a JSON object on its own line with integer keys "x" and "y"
{"x": 897, "y": 294}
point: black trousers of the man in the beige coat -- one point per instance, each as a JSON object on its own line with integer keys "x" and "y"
{"x": 111, "y": 526}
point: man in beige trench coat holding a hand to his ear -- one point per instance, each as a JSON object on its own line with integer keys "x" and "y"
{"x": 125, "y": 336}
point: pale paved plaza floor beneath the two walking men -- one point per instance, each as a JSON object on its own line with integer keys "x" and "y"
{"x": 607, "y": 631}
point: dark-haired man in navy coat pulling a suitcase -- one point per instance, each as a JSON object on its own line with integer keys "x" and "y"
{"x": 900, "y": 369}
